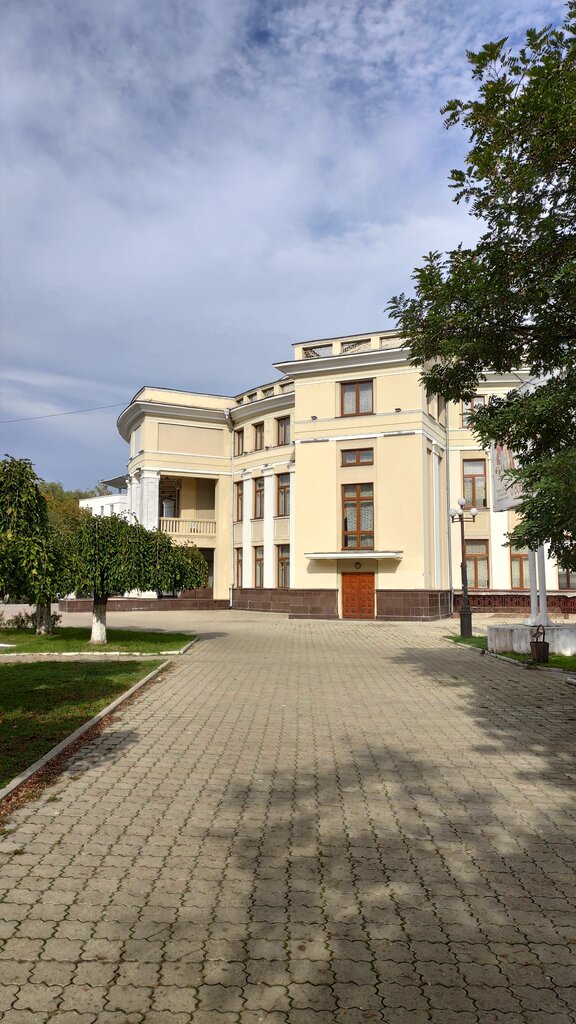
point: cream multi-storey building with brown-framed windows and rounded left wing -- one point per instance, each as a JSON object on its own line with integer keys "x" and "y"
{"x": 326, "y": 493}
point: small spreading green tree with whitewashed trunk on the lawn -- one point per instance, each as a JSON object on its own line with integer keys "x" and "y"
{"x": 114, "y": 557}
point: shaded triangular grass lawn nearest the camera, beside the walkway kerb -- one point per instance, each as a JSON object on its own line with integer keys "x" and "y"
{"x": 43, "y": 703}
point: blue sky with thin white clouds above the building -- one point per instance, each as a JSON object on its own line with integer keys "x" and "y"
{"x": 191, "y": 186}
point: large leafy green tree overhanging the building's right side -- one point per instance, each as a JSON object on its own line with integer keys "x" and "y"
{"x": 510, "y": 303}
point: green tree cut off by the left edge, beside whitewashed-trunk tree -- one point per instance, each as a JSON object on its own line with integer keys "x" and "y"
{"x": 33, "y": 569}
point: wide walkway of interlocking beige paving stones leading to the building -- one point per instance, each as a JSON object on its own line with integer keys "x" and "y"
{"x": 306, "y": 823}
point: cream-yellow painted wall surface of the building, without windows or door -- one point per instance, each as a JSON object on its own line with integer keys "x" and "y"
{"x": 187, "y": 435}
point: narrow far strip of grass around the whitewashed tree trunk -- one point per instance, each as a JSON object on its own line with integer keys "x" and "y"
{"x": 75, "y": 638}
